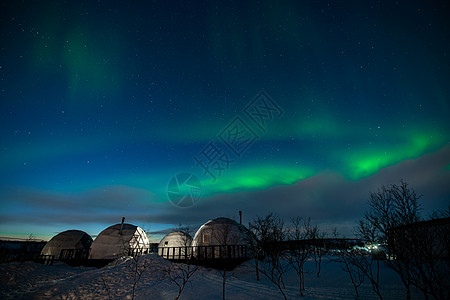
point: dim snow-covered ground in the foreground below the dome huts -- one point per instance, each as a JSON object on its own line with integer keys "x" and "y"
{"x": 35, "y": 281}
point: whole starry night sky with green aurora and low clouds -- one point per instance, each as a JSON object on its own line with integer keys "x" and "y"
{"x": 294, "y": 107}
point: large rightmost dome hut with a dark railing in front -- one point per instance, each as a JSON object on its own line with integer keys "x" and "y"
{"x": 221, "y": 238}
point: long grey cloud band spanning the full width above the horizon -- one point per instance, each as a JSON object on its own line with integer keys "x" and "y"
{"x": 328, "y": 198}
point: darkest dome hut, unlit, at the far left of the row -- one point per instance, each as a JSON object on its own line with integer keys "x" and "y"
{"x": 67, "y": 240}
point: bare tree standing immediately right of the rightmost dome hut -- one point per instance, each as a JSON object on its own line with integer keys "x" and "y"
{"x": 270, "y": 232}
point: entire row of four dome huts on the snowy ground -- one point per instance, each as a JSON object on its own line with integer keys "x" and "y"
{"x": 217, "y": 238}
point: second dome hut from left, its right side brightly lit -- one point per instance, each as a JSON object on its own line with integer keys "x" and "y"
{"x": 119, "y": 240}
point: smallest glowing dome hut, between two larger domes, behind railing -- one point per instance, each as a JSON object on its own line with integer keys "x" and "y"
{"x": 176, "y": 245}
